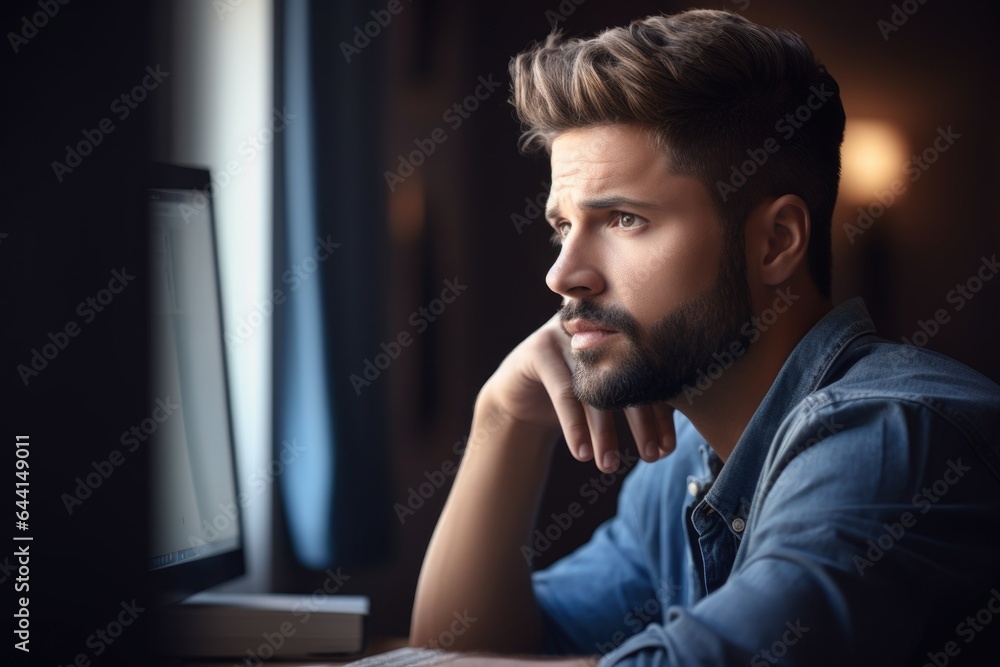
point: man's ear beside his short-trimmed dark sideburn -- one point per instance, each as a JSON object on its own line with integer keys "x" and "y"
{"x": 778, "y": 237}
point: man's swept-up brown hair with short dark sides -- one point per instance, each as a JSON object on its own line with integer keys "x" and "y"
{"x": 746, "y": 109}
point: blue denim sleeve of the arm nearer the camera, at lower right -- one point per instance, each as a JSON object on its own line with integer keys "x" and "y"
{"x": 855, "y": 544}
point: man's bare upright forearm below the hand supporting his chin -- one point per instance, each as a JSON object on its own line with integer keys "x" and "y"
{"x": 473, "y": 565}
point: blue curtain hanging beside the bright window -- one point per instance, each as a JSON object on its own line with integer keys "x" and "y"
{"x": 330, "y": 241}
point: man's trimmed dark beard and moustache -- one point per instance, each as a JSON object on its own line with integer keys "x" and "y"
{"x": 658, "y": 364}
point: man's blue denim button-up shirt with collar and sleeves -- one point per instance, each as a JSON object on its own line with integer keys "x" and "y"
{"x": 859, "y": 510}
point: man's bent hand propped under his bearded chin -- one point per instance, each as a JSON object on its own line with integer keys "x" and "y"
{"x": 534, "y": 385}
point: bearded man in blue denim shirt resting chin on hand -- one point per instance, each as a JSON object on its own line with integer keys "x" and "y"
{"x": 810, "y": 493}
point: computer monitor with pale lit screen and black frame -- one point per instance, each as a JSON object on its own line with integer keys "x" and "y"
{"x": 196, "y": 534}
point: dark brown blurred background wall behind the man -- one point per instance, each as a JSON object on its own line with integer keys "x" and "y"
{"x": 453, "y": 218}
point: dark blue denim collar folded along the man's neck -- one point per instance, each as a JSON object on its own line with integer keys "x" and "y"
{"x": 801, "y": 374}
